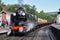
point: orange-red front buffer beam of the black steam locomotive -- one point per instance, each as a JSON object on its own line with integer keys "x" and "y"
{"x": 16, "y": 30}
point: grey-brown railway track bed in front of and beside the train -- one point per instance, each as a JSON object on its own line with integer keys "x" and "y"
{"x": 38, "y": 34}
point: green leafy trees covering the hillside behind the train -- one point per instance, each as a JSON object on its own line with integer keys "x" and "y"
{"x": 30, "y": 9}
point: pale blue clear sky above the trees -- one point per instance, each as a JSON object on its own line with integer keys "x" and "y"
{"x": 45, "y": 5}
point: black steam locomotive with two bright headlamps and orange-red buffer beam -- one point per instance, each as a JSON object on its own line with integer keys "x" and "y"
{"x": 21, "y": 22}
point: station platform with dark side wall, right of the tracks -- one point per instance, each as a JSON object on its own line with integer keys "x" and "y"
{"x": 55, "y": 29}
